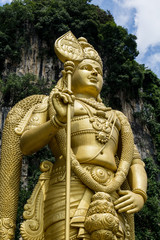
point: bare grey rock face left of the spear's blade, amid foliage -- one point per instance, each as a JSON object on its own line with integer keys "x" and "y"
{"x": 34, "y": 61}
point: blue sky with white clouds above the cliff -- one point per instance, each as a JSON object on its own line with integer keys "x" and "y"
{"x": 141, "y": 18}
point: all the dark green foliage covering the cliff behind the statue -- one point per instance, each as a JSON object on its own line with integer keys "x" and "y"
{"x": 51, "y": 18}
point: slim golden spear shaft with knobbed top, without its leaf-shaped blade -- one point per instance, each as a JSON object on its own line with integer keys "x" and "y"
{"x": 68, "y": 66}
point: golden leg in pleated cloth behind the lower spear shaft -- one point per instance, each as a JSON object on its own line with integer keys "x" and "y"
{"x": 54, "y": 209}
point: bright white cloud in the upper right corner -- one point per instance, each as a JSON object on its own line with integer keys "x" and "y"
{"x": 146, "y": 21}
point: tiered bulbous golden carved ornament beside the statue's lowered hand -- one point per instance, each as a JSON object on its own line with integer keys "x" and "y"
{"x": 102, "y": 221}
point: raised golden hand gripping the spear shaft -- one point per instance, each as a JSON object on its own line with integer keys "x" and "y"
{"x": 60, "y": 101}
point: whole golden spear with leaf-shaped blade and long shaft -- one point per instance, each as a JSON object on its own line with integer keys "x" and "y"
{"x": 68, "y": 51}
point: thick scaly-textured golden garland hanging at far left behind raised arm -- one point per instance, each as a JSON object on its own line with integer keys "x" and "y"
{"x": 11, "y": 160}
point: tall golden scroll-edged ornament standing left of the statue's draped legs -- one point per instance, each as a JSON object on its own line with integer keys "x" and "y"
{"x": 32, "y": 228}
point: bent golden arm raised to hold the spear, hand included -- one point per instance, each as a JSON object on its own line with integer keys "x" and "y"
{"x": 37, "y": 136}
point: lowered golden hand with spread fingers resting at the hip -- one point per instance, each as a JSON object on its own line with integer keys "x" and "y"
{"x": 130, "y": 202}
